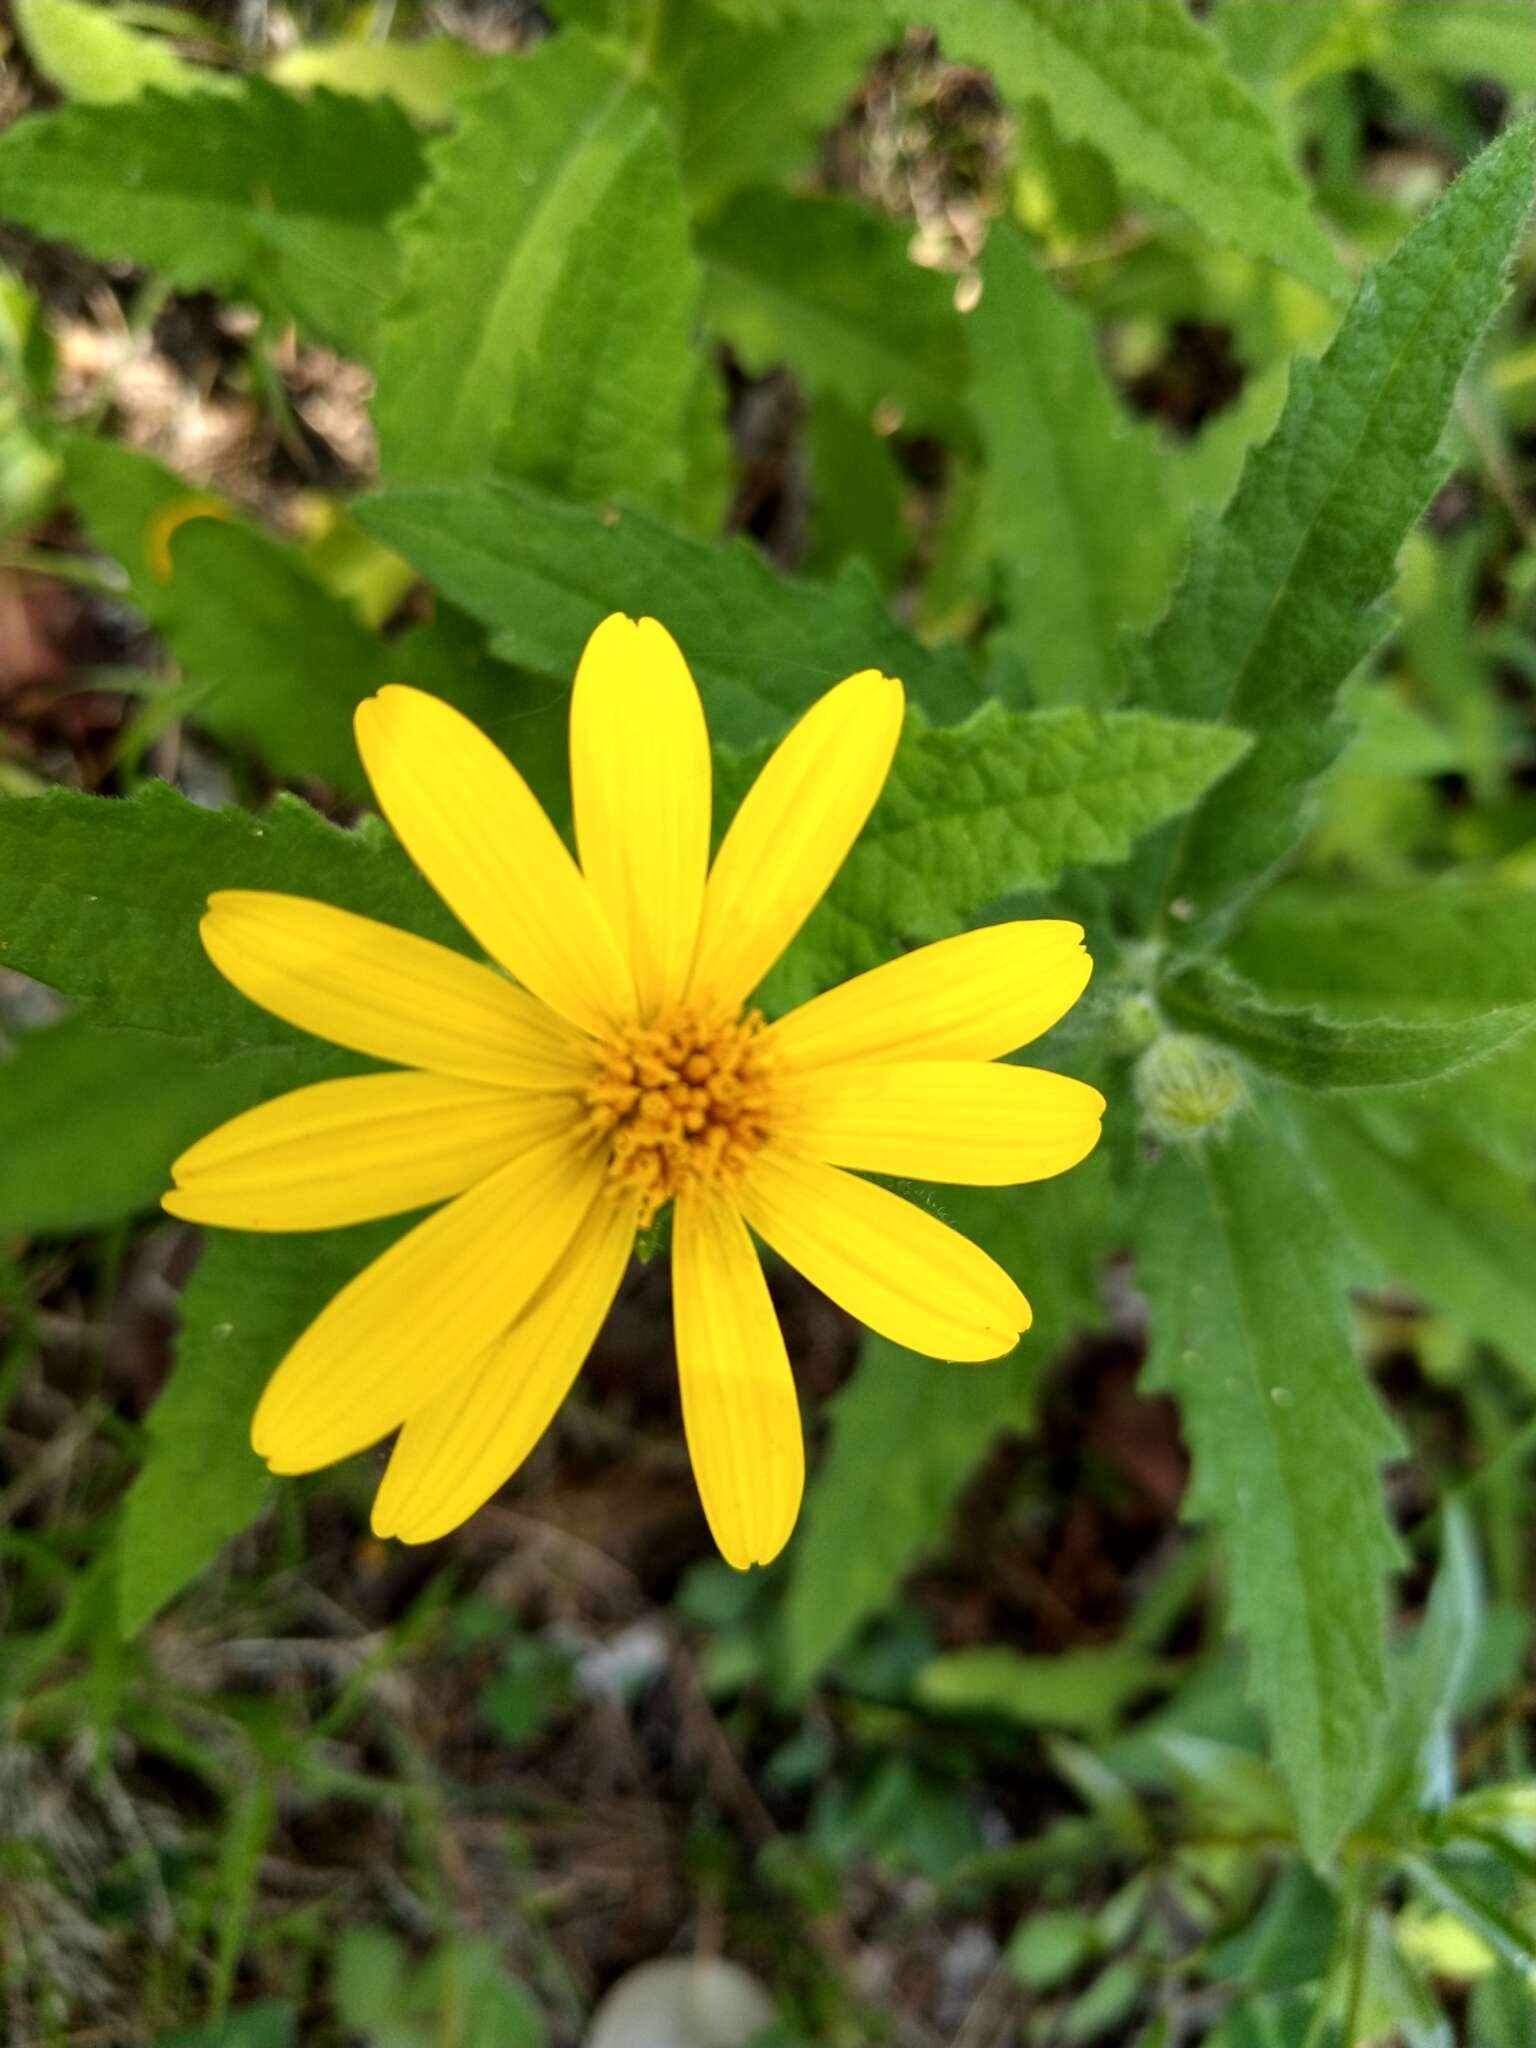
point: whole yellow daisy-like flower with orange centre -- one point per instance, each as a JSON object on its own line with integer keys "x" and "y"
{"x": 609, "y": 1068}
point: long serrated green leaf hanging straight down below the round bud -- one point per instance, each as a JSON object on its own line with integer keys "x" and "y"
{"x": 1250, "y": 1332}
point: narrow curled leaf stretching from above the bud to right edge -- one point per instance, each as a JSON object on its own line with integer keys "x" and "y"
{"x": 1312, "y": 1050}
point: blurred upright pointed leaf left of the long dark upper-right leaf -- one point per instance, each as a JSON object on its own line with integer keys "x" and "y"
{"x": 1076, "y": 505}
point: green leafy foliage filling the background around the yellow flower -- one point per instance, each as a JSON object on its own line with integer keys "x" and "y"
{"x": 1189, "y": 480}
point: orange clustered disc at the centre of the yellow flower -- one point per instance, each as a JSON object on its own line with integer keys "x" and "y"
{"x": 681, "y": 1103}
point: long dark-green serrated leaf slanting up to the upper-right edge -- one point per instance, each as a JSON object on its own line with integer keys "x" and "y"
{"x": 1279, "y": 603}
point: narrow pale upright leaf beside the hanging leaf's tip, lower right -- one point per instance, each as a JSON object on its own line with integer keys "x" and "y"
{"x": 1418, "y": 1766}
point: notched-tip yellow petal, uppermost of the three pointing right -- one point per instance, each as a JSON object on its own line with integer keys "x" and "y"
{"x": 962, "y": 998}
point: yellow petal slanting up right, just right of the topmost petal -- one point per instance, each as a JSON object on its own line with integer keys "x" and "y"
{"x": 794, "y": 833}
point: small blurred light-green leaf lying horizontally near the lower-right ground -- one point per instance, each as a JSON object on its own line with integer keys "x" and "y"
{"x": 1086, "y": 1691}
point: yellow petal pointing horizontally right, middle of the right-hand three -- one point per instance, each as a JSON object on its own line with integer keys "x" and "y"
{"x": 941, "y": 1119}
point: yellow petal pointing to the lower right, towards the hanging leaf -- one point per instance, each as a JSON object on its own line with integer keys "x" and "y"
{"x": 884, "y": 1261}
